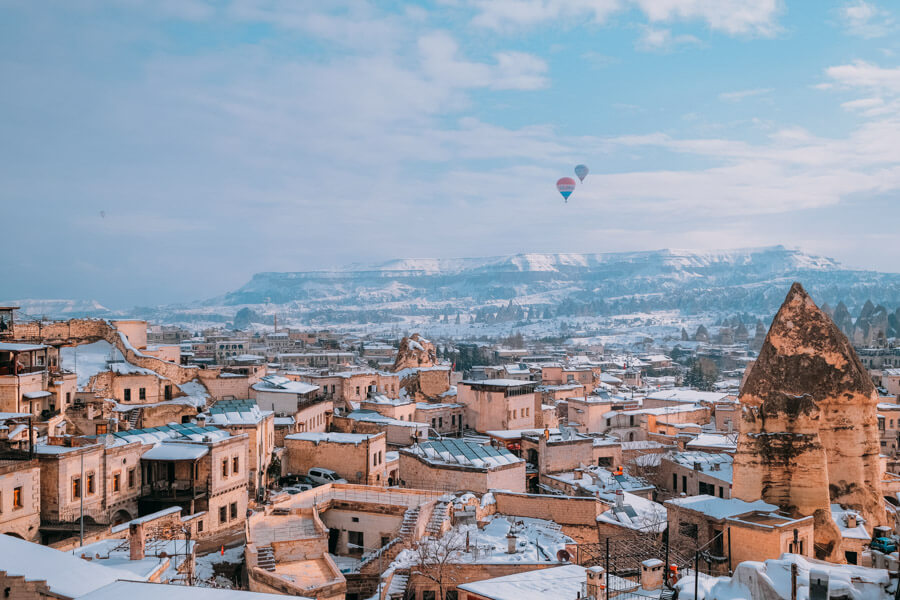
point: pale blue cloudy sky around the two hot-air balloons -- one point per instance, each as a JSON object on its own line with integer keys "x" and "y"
{"x": 158, "y": 151}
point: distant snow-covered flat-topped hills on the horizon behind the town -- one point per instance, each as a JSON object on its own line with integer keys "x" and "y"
{"x": 750, "y": 281}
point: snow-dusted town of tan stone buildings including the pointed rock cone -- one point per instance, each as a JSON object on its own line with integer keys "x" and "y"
{"x": 279, "y": 461}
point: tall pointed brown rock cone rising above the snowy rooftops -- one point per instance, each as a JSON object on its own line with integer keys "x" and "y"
{"x": 809, "y": 428}
